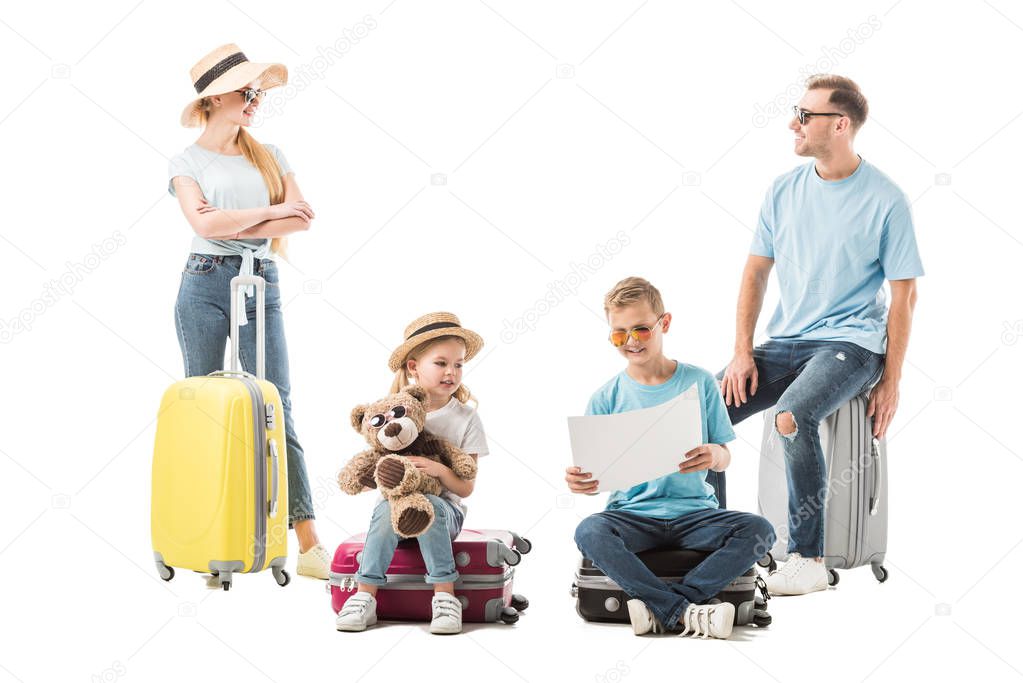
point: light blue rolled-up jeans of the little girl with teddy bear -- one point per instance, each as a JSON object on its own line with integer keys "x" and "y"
{"x": 435, "y": 544}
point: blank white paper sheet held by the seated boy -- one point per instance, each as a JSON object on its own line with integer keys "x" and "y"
{"x": 631, "y": 448}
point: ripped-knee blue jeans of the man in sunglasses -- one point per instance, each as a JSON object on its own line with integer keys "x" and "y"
{"x": 812, "y": 381}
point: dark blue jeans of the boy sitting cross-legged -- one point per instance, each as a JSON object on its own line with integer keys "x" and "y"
{"x": 735, "y": 540}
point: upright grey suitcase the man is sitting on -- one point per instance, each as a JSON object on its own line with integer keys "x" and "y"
{"x": 857, "y": 500}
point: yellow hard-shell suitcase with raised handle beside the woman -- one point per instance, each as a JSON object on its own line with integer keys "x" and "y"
{"x": 220, "y": 471}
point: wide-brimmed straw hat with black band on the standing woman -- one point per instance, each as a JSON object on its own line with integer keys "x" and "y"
{"x": 225, "y": 70}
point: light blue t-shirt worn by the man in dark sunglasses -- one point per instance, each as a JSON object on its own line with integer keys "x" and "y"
{"x": 834, "y": 245}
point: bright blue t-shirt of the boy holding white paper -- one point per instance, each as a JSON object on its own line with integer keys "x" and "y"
{"x": 677, "y": 494}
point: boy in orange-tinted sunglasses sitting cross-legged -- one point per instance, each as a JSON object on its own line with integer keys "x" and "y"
{"x": 680, "y": 510}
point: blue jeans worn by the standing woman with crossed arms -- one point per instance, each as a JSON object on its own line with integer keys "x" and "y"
{"x": 203, "y": 317}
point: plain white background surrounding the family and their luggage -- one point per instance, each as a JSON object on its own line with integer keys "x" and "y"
{"x": 555, "y": 127}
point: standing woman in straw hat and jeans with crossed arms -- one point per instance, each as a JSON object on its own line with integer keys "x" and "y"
{"x": 242, "y": 201}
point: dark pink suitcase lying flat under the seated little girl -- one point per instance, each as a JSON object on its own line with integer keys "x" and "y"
{"x": 485, "y": 561}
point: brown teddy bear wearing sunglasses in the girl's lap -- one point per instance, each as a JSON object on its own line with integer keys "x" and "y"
{"x": 394, "y": 427}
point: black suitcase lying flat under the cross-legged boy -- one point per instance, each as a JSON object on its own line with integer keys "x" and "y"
{"x": 601, "y": 600}
